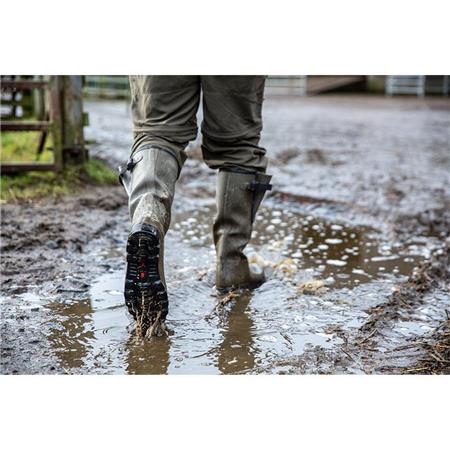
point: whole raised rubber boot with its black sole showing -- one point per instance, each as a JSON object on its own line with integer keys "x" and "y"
{"x": 149, "y": 180}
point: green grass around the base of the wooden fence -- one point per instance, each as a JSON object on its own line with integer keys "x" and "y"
{"x": 30, "y": 185}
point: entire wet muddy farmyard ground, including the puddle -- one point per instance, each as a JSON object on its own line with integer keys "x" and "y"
{"x": 354, "y": 239}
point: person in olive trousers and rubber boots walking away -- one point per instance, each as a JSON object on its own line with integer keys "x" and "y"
{"x": 164, "y": 112}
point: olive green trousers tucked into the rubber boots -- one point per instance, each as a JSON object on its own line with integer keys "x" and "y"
{"x": 164, "y": 110}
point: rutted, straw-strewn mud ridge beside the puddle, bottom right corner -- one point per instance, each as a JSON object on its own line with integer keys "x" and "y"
{"x": 428, "y": 353}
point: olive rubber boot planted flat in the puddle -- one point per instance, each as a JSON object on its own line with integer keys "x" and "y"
{"x": 238, "y": 197}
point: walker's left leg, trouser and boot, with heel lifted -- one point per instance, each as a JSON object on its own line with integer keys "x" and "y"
{"x": 164, "y": 120}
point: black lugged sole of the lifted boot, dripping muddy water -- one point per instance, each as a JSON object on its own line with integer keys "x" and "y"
{"x": 145, "y": 294}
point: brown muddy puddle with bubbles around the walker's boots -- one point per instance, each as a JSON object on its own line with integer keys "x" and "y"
{"x": 322, "y": 275}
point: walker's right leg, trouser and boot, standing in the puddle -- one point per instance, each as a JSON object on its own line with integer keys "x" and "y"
{"x": 232, "y": 107}
